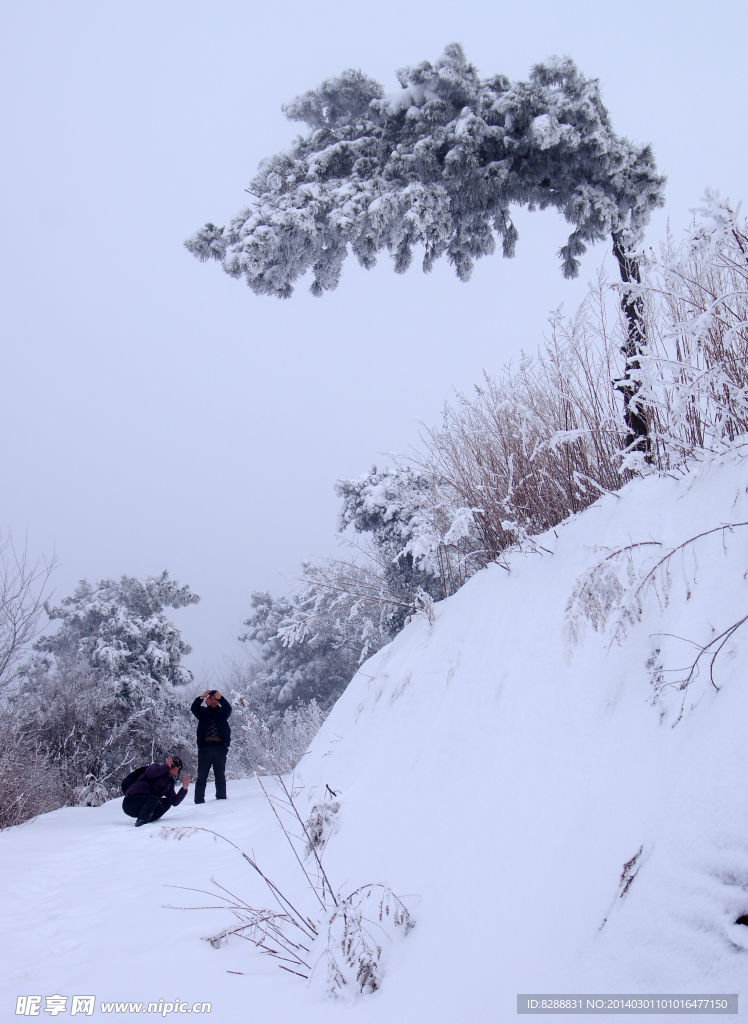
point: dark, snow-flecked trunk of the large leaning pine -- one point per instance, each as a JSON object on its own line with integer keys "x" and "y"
{"x": 638, "y": 439}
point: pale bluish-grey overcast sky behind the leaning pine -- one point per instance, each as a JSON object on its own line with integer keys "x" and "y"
{"x": 156, "y": 414}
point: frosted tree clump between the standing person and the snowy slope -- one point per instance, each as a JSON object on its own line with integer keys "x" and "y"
{"x": 410, "y": 543}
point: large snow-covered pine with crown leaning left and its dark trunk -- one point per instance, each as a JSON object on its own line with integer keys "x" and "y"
{"x": 439, "y": 165}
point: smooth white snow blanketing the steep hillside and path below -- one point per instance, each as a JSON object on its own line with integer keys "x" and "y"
{"x": 556, "y": 812}
